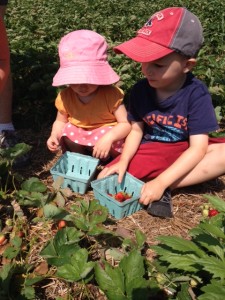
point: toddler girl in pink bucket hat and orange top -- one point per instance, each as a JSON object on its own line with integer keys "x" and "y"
{"x": 91, "y": 117}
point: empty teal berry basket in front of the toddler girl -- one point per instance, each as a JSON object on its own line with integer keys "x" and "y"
{"x": 76, "y": 169}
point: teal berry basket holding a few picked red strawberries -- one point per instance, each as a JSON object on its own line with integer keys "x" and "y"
{"x": 110, "y": 185}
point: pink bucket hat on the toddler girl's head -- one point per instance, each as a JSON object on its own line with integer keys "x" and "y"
{"x": 83, "y": 59}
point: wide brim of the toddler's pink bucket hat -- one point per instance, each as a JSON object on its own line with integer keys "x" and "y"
{"x": 98, "y": 74}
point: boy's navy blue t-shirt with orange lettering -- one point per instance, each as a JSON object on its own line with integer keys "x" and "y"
{"x": 187, "y": 112}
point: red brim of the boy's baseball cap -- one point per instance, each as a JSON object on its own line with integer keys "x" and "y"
{"x": 142, "y": 50}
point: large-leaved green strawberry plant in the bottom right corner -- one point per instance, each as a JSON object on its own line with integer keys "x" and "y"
{"x": 196, "y": 266}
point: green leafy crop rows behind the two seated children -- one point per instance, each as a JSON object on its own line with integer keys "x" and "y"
{"x": 35, "y": 28}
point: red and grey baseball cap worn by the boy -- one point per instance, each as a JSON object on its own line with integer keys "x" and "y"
{"x": 174, "y": 29}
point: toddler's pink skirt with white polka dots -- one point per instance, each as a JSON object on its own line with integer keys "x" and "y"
{"x": 89, "y": 137}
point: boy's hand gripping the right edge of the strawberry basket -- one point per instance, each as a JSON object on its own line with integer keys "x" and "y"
{"x": 151, "y": 191}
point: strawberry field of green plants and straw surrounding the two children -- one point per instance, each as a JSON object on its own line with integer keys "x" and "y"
{"x": 58, "y": 244}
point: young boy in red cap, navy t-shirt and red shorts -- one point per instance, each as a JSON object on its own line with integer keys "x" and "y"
{"x": 171, "y": 112}
